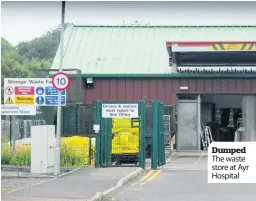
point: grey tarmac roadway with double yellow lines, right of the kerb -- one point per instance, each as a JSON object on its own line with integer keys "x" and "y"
{"x": 183, "y": 178}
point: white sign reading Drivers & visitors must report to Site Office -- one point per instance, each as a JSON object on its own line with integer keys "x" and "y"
{"x": 125, "y": 110}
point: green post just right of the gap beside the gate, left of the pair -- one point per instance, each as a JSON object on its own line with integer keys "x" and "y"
{"x": 155, "y": 130}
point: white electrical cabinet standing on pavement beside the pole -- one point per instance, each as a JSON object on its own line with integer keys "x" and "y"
{"x": 42, "y": 149}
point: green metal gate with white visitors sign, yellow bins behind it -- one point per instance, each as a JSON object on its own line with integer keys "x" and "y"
{"x": 121, "y": 139}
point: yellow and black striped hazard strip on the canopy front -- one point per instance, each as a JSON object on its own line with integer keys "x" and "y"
{"x": 233, "y": 47}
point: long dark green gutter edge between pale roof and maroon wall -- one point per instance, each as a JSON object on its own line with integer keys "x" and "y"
{"x": 172, "y": 75}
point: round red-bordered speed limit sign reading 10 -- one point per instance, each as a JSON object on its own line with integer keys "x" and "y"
{"x": 61, "y": 81}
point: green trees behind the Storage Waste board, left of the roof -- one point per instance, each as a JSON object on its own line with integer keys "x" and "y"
{"x": 23, "y": 61}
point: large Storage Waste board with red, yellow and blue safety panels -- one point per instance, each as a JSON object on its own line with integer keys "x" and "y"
{"x": 31, "y": 91}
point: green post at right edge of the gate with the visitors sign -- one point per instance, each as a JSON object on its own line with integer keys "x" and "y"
{"x": 142, "y": 136}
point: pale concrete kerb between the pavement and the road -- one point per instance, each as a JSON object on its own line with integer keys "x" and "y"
{"x": 100, "y": 195}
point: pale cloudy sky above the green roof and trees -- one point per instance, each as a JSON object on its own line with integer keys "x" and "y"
{"x": 23, "y": 21}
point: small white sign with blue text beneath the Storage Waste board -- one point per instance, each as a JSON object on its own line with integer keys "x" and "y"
{"x": 18, "y": 110}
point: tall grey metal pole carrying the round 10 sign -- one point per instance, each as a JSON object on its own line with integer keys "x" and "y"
{"x": 57, "y": 148}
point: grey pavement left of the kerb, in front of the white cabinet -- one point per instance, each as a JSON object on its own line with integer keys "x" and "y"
{"x": 80, "y": 185}
